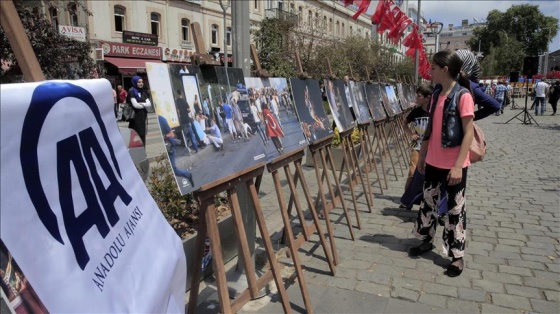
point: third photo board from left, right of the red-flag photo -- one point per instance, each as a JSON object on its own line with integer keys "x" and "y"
{"x": 309, "y": 108}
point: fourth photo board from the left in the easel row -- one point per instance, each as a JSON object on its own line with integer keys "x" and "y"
{"x": 338, "y": 102}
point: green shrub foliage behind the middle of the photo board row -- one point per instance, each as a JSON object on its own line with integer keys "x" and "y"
{"x": 278, "y": 40}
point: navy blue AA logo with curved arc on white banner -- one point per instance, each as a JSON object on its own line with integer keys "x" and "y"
{"x": 80, "y": 153}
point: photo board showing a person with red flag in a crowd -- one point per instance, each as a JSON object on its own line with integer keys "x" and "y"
{"x": 274, "y": 93}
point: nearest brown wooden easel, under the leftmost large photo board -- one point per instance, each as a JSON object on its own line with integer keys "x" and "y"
{"x": 209, "y": 226}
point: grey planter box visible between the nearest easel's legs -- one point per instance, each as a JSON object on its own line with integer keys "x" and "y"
{"x": 229, "y": 247}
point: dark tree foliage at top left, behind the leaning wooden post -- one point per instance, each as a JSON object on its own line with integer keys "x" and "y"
{"x": 60, "y": 57}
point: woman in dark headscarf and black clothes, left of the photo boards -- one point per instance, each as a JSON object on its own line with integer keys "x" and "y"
{"x": 138, "y": 99}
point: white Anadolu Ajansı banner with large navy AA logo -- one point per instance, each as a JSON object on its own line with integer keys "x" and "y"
{"x": 75, "y": 214}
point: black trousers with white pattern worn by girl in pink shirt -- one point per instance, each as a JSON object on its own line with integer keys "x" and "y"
{"x": 454, "y": 233}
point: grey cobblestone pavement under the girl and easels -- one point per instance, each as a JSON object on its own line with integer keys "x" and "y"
{"x": 512, "y": 255}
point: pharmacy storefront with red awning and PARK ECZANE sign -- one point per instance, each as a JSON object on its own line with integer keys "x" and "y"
{"x": 123, "y": 61}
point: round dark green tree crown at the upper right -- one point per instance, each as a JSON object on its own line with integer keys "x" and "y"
{"x": 512, "y": 35}
